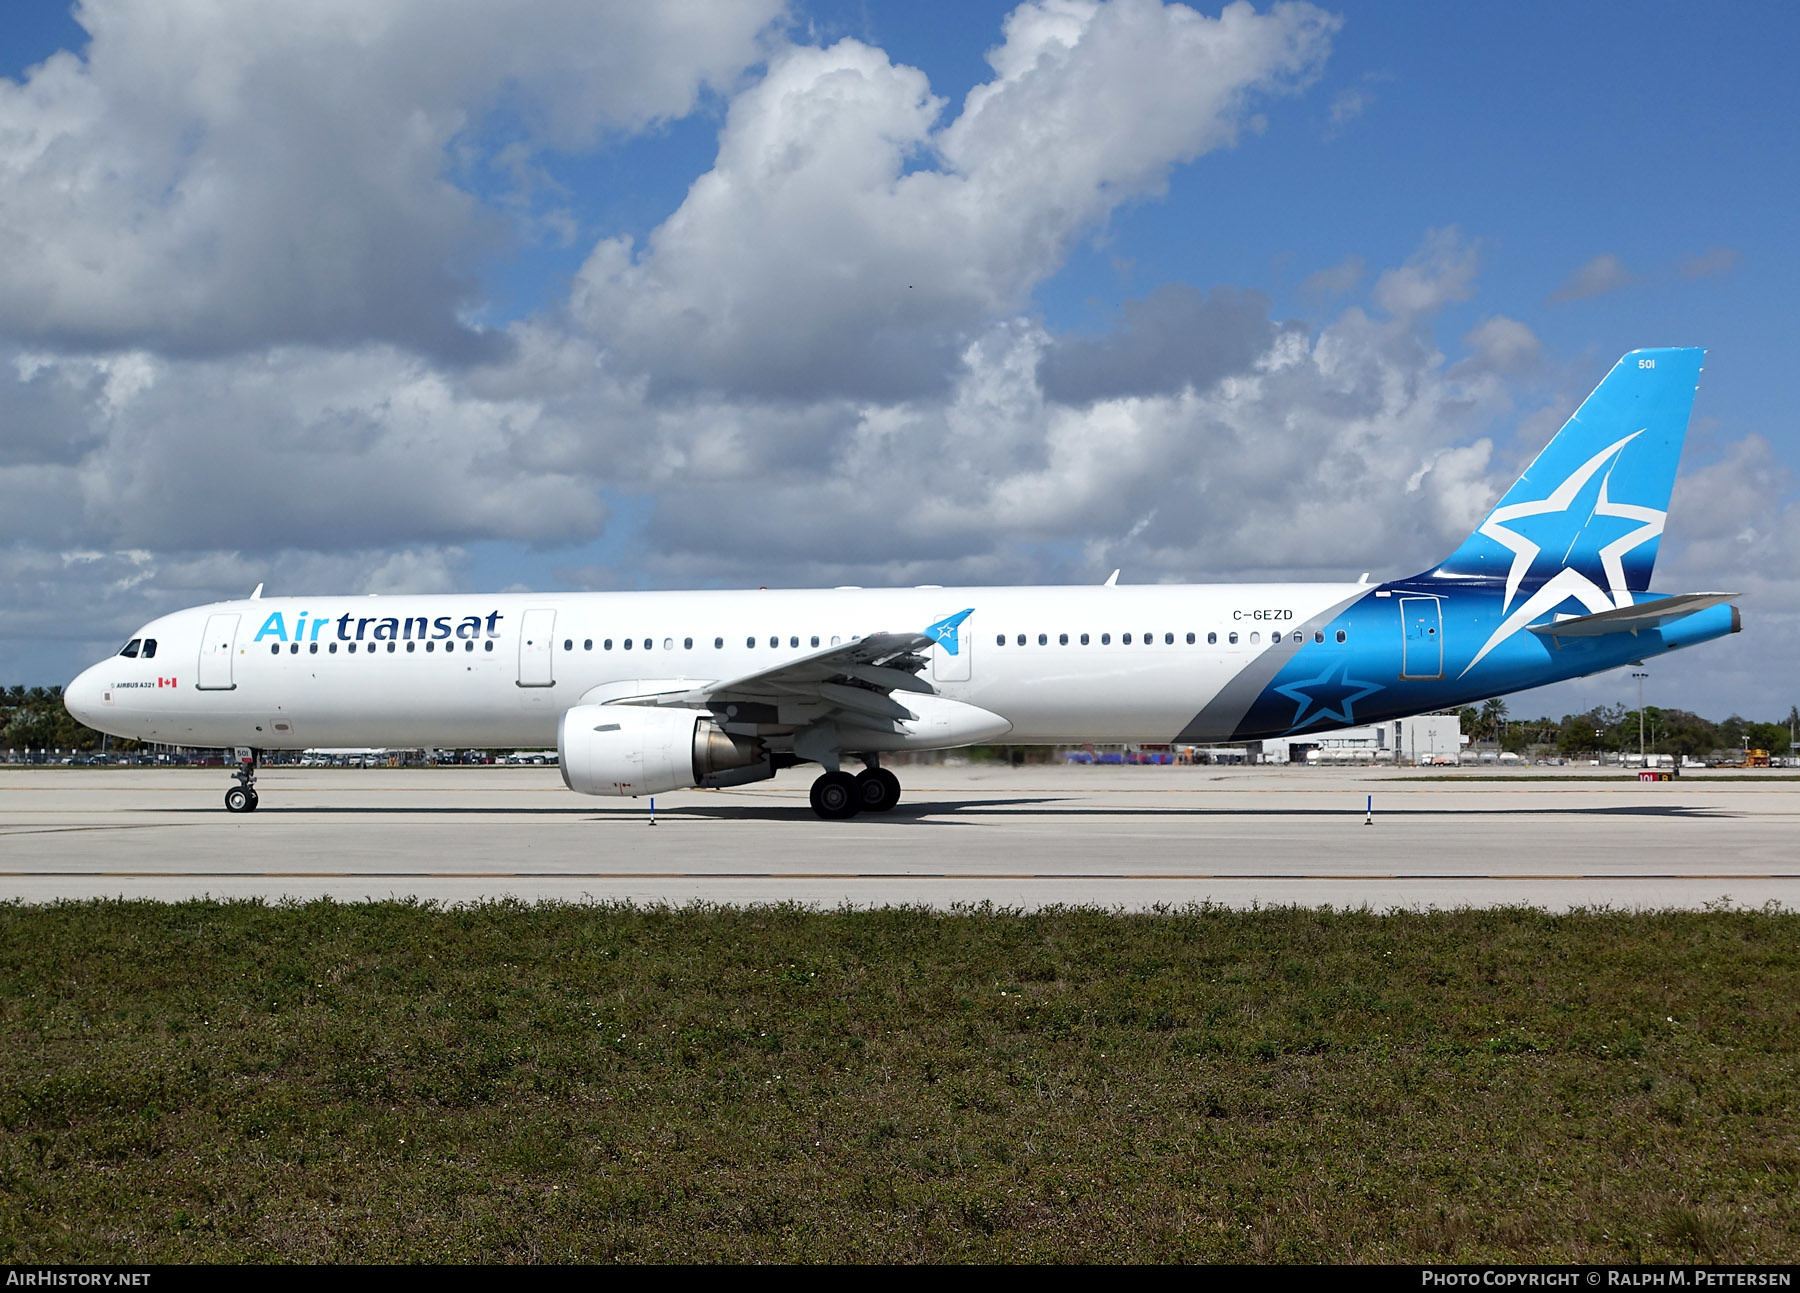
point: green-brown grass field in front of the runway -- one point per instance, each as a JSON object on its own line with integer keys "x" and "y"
{"x": 508, "y": 1083}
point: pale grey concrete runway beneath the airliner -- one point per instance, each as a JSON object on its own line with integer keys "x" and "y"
{"x": 1101, "y": 836}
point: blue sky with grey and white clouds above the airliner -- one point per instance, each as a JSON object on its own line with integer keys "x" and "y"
{"x": 458, "y": 296}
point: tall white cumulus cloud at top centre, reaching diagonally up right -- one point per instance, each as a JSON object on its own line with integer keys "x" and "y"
{"x": 847, "y": 242}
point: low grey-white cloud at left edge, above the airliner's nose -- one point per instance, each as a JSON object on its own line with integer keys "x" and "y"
{"x": 301, "y": 449}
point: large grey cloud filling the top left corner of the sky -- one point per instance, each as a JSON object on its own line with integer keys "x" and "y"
{"x": 213, "y": 179}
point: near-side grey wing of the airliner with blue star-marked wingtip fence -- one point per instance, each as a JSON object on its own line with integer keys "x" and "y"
{"x": 854, "y": 682}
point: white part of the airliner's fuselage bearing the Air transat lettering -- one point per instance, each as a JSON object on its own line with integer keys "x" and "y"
{"x": 499, "y": 671}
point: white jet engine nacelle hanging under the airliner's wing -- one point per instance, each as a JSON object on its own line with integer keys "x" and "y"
{"x": 642, "y": 750}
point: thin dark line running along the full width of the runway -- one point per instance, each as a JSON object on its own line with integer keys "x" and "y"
{"x": 904, "y": 876}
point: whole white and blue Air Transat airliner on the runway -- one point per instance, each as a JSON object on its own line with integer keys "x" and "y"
{"x": 651, "y": 692}
